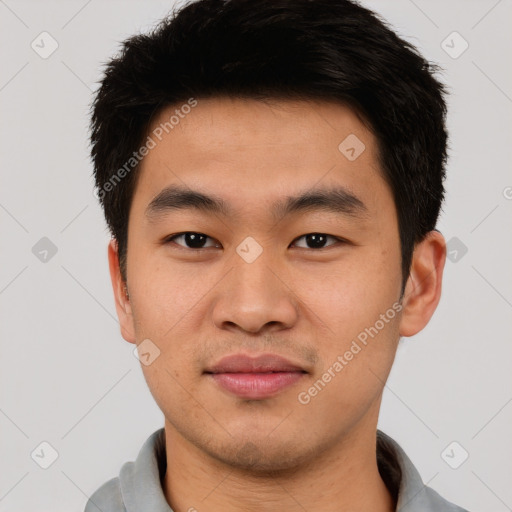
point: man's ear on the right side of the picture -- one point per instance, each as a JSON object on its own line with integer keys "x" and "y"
{"x": 423, "y": 289}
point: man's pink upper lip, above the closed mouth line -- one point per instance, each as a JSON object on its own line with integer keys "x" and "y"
{"x": 243, "y": 363}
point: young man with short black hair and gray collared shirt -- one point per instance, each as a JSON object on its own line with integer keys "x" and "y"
{"x": 272, "y": 173}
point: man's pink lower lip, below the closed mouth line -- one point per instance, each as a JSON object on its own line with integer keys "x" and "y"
{"x": 256, "y": 385}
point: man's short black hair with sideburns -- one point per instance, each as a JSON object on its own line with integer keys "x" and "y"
{"x": 333, "y": 50}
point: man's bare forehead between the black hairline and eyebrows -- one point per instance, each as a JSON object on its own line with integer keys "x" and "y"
{"x": 251, "y": 152}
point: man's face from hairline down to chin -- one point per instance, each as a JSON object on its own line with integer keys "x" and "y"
{"x": 256, "y": 271}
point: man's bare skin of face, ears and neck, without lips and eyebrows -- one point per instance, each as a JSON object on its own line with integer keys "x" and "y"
{"x": 225, "y": 453}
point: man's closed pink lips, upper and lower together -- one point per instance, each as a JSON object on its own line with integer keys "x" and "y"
{"x": 255, "y": 378}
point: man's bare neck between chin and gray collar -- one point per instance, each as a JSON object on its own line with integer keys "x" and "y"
{"x": 344, "y": 477}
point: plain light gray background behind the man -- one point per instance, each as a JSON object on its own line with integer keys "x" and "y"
{"x": 67, "y": 376}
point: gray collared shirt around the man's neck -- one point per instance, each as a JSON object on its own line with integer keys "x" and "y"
{"x": 138, "y": 487}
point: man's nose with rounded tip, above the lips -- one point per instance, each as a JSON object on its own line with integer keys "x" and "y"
{"x": 255, "y": 297}
